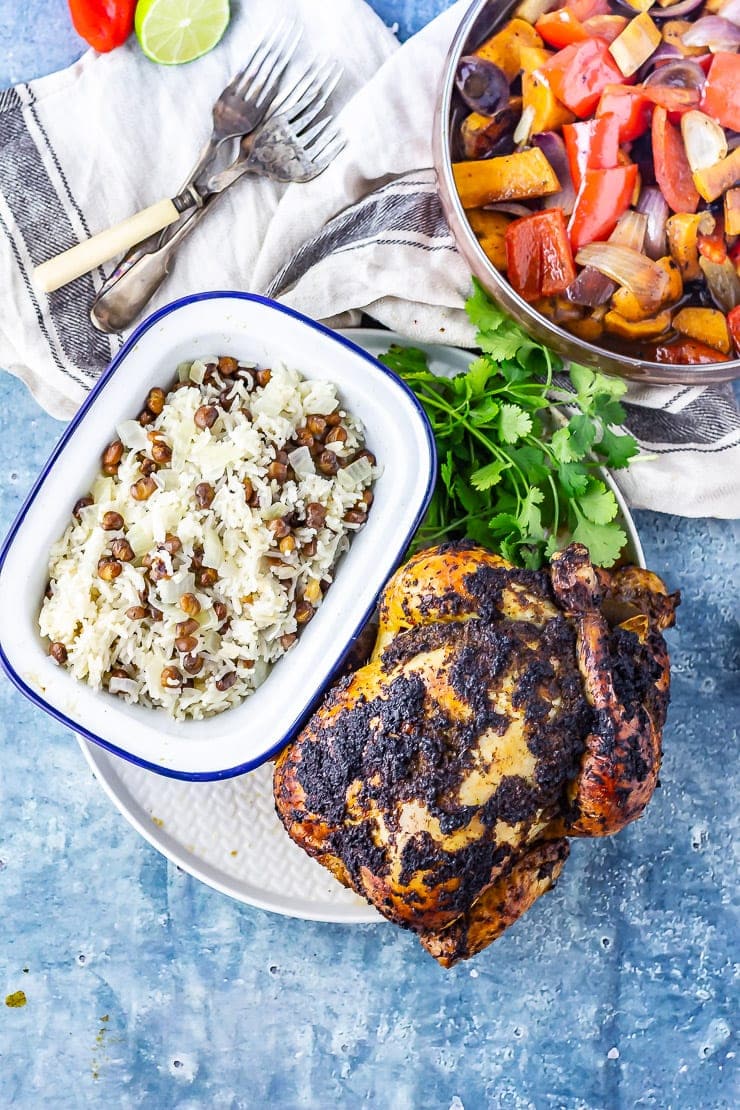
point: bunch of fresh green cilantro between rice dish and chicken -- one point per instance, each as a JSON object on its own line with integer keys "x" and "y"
{"x": 520, "y": 453}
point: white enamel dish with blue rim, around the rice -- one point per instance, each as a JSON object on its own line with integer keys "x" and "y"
{"x": 398, "y": 432}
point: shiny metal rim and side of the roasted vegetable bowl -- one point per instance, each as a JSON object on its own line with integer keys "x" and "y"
{"x": 480, "y": 22}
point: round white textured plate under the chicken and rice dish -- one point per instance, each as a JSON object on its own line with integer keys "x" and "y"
{"x": 228, "y": 834}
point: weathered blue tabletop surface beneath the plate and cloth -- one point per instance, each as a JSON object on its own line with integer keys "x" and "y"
{"x": 146, "y": 988}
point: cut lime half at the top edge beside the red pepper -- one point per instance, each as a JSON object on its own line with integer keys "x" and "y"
{"x": 176, "y": 32}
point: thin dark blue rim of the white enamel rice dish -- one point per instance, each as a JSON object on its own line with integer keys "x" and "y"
{"x": 100, "y": 386}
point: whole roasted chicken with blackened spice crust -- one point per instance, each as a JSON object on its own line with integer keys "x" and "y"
{"x": 503, "y": 712}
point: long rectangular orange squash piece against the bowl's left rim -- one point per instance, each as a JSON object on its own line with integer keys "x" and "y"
{"x": 522, "y": 176}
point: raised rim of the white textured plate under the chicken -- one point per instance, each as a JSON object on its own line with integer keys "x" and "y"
{"x": 103, "y": 764}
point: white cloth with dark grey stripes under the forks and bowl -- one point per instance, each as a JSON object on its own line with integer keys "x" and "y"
{"x": 87, "y": 147}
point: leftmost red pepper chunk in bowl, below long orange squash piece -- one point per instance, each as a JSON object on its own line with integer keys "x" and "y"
{"x": 539, "y": 257}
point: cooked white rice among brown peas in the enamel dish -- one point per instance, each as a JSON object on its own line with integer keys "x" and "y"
{"x": 85, "y": 617}
